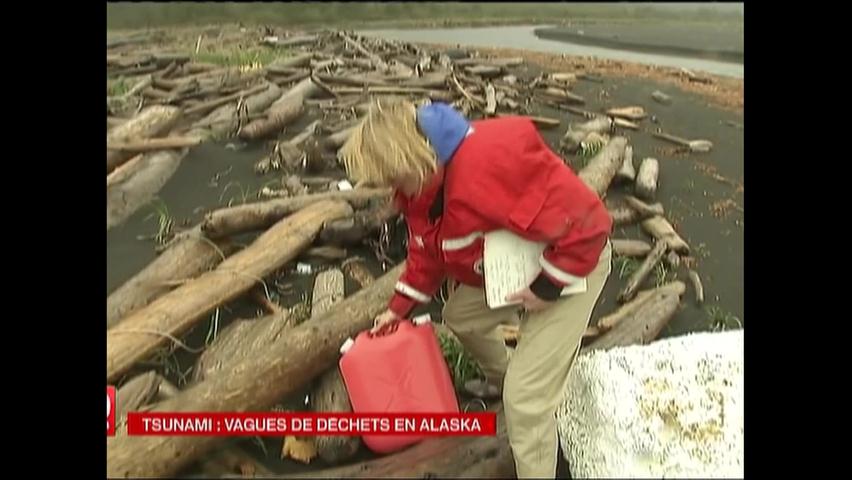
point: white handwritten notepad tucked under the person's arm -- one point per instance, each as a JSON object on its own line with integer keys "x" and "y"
{"x": 510, "y": 264}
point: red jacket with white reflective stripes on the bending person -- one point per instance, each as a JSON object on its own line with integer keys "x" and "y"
{"x": 502, "y": 176}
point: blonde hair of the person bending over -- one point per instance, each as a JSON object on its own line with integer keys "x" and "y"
{"x": 387, "y": 145}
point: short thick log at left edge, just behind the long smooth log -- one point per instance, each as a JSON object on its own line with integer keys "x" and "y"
{"x": 185, "y": 258}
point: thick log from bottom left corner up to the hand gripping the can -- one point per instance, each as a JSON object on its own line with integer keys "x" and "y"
{"x": 257, "y": 382}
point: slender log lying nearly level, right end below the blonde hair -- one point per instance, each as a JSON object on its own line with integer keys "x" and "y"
{"x": 255, "y": 216}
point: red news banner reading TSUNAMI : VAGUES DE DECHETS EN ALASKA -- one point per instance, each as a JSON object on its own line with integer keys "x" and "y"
{"x": 278, "y": 424}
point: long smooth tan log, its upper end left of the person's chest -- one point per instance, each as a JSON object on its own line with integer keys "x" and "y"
{"x": 175, "y": 312}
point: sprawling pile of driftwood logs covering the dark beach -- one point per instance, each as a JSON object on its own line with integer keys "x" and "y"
{"x": 175, "y": 104}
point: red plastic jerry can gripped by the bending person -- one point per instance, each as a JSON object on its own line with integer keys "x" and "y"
{"x": 401, "y": 370}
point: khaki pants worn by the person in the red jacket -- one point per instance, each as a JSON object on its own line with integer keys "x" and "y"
{"x": 535, "y": 378}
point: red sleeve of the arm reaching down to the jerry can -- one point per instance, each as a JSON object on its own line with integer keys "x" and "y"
{"x": 422, "y": 277}
